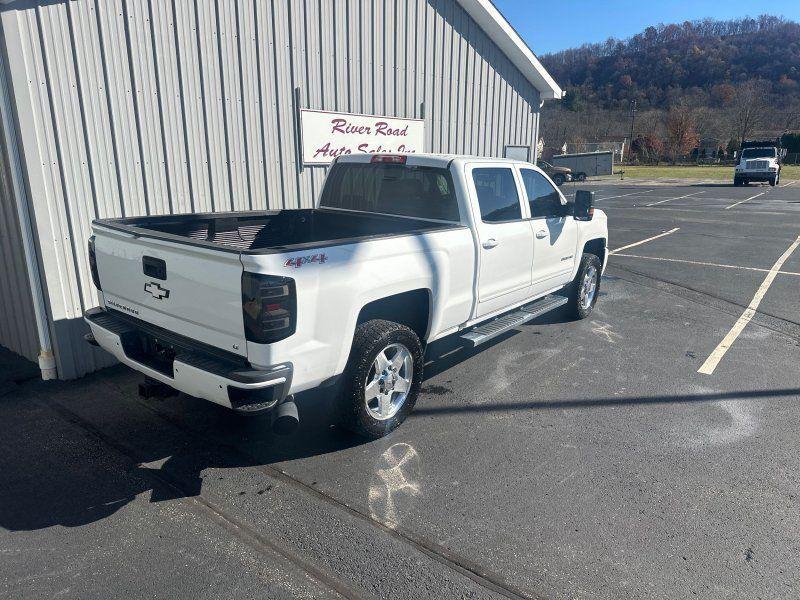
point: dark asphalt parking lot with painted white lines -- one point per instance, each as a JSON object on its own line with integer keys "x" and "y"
{"x": 648, "y": 451}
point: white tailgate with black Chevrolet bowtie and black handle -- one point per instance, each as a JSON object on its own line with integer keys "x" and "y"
{"x": 192, "y": 291}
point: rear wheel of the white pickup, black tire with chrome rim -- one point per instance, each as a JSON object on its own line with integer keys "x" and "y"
{"x": 382, "y": 378}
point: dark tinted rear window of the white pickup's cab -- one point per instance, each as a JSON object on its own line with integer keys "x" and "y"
{"x": 403, "y": 190}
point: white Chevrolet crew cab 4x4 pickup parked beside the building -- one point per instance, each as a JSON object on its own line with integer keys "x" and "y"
{"x": 247, "y": 309}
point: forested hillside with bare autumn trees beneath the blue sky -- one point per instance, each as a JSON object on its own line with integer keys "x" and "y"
{"x": 725, "y": 80}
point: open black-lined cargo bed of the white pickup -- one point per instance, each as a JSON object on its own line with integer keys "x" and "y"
{"x": 273, "y": 231}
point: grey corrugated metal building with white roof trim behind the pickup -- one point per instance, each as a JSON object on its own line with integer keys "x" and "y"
{"x": 130, "y": 107}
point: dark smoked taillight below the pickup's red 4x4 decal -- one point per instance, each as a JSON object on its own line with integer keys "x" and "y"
{"x": 269, "y": 306}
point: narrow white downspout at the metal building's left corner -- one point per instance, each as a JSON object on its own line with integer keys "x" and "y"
{"x": 47, "y": 362}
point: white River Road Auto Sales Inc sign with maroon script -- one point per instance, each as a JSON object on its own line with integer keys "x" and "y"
{"x": 327, "y": 135}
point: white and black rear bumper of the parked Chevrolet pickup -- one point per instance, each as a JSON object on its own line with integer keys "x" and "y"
{"x": 189, "y": 366}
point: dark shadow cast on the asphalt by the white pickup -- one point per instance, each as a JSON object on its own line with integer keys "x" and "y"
{"x": 74, "y": 453}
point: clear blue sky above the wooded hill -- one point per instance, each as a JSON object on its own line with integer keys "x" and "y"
{"x": 552, "y": 25}
